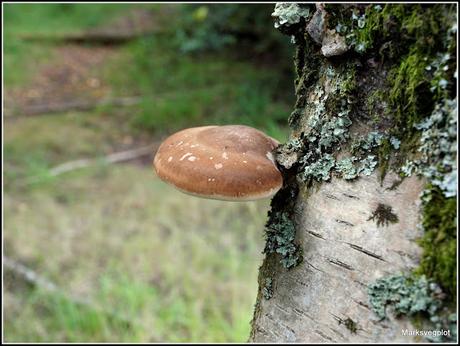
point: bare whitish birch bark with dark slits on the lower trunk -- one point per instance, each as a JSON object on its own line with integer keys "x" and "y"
{"x": 344, "y": 251}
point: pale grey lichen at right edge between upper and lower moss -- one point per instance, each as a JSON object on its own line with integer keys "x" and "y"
{"x": 438, "y": 148}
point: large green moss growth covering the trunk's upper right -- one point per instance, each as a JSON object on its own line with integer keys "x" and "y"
{"x": 416, "y": 45}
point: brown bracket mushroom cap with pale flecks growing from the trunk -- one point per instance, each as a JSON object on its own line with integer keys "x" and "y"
{"x": 232, "y": 162}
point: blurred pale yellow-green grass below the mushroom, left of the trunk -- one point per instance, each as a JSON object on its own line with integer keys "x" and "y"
{"x": 178, "y": 267}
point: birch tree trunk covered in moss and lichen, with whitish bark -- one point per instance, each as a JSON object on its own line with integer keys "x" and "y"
{"x": 361, "y": 240}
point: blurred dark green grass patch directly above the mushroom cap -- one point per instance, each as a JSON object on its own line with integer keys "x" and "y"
{"x": 191, "y": 90}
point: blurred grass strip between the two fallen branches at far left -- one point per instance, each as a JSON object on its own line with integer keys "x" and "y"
{"x": 34, "y": 145}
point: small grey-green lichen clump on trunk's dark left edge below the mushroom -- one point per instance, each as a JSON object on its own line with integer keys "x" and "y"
{"x": 280, "y": 235}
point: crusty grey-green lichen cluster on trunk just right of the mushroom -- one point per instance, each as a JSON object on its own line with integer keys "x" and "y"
{"x": 327, "y": 129}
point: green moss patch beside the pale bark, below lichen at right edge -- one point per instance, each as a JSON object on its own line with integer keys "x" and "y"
{"x": 439, "y": 242}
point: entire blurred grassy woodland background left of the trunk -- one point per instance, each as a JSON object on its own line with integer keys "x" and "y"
{"x": 96, "y": 248}
